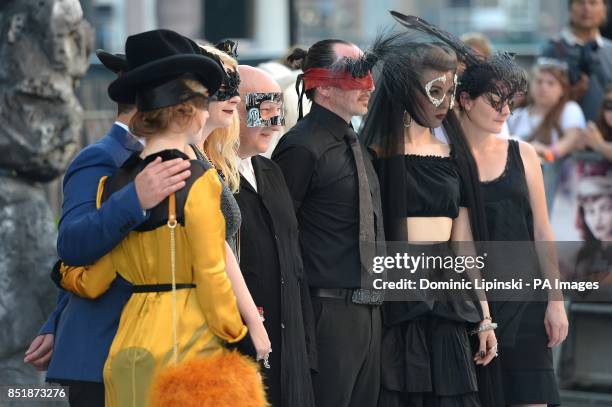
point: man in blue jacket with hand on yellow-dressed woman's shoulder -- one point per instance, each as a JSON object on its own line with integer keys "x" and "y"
{"x": 79, "y": 332}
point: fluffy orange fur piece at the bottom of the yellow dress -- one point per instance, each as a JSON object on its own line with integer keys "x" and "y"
{"x": 228, "y": 379}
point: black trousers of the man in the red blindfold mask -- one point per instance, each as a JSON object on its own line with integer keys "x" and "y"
{"x": 348, "y": 344}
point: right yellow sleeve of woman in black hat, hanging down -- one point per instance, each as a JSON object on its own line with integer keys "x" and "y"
{"x": 205, "y": 228}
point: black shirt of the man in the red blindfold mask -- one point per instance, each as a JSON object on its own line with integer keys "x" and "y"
{"x": 320, "y": 171}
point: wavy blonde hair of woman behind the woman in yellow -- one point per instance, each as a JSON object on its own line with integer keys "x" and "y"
{"x": 221, "y": 145}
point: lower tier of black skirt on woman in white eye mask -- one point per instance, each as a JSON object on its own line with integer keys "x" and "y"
{"x": 427, "y": 362}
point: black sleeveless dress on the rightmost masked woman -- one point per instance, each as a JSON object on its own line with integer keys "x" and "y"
{"x": 527, "y": 363}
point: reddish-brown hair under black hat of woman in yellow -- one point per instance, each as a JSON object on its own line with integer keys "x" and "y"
{"x": 149, "y": 123}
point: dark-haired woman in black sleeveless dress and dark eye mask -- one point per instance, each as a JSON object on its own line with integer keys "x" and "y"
{"x": 513, "y": 192}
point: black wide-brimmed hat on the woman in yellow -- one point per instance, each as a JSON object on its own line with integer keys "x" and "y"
{"x": 157, "y": 57}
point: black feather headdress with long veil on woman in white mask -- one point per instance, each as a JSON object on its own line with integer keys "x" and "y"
{"x": 408, "y": 58}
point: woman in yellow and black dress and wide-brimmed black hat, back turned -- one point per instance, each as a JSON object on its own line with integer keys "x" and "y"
{"x": 182, "y": 306}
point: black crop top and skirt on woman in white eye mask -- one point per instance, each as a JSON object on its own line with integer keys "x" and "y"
{"x": 426, "y": 356}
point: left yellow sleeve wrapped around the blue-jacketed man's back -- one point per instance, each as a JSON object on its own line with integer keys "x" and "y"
{"x": 90, "y": 281}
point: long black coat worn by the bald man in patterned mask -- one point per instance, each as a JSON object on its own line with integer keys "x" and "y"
{"x": 271, "y": 263}
